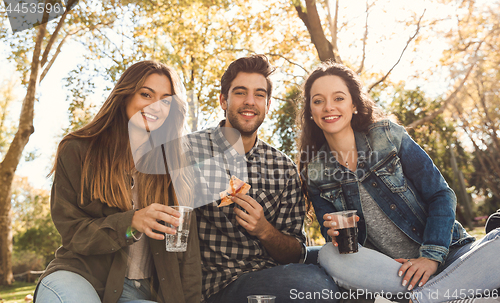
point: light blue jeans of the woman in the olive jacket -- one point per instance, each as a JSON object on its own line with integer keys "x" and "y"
{"x": 68, "y": 287}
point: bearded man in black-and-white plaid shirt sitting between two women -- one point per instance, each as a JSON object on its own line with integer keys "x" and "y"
{"x": 245, "y": 245}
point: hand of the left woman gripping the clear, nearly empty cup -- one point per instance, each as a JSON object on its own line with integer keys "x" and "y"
{"x": 146, "y": 220}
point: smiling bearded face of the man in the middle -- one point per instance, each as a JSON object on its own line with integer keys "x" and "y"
{"x": 246, "y": 104}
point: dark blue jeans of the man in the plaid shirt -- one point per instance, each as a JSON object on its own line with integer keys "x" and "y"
{"x": 289, "y": 283}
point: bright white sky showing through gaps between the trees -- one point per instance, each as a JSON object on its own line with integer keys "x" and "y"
{"x": 388, "y": 37}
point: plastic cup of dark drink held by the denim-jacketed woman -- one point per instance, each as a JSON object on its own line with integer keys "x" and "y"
{"x": 348, "y": 231}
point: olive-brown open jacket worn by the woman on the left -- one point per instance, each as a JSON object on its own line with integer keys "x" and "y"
{"x": 94, "y": 235}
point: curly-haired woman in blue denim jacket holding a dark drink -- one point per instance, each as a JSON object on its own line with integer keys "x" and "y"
{"x": 411, "y": 244}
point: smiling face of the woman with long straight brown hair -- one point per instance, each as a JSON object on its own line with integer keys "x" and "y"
{"x": 150, "y": 105}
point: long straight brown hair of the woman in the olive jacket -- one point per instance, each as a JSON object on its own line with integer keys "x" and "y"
{"x": 108, "y": 163}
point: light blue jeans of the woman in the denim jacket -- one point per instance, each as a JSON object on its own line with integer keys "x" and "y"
{"x": 468, "y": 271}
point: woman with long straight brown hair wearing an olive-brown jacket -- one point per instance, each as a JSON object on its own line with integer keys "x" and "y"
{"x": 113, "y": 187}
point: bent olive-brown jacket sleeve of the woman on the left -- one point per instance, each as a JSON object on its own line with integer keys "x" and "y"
{"x": 91, "y": 227}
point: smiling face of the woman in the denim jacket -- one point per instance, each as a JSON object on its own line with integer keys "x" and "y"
{"x": 331, "y": 105}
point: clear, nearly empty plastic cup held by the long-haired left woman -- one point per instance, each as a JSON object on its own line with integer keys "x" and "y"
{"x": 178, "y": 242}
